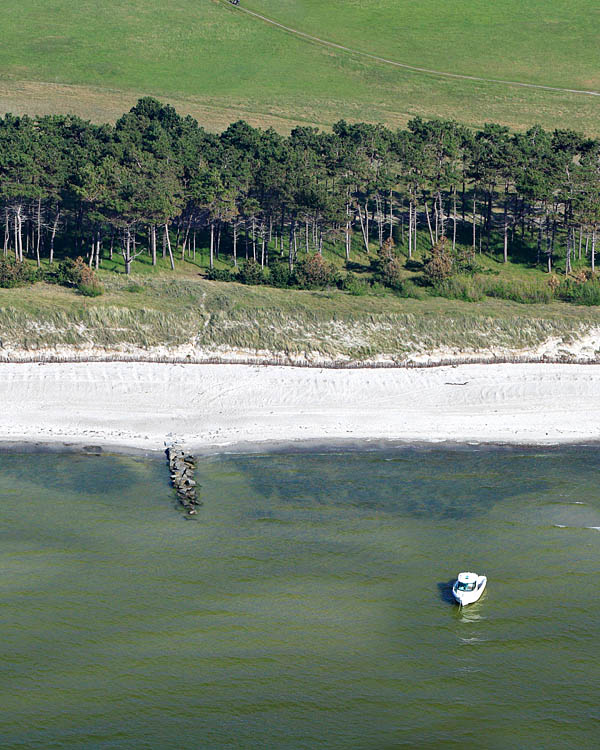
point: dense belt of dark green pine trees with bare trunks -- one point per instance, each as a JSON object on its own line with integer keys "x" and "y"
{"x": 156, "y": 183}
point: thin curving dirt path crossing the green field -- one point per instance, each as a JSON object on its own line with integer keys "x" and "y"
{"x": 404, "y": 66}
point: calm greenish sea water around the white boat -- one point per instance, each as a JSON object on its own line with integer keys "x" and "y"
{"x": 307, "y": 606}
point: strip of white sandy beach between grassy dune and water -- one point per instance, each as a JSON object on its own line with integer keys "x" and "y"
{"x": 142, "y": 405}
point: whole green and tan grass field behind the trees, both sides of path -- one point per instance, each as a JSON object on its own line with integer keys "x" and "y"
{"x": 219, "y": 63}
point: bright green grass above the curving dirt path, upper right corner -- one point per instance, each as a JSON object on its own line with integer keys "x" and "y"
{"x": 537, "y": 41}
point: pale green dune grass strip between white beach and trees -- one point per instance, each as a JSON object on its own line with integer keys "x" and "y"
{"x": 160, "y": 311}
